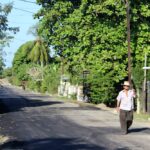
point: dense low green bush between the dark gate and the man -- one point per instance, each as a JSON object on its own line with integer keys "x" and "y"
{"x": 102, "y": 89}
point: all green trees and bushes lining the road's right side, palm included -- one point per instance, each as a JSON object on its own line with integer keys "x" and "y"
{"x": 85, "y": 35}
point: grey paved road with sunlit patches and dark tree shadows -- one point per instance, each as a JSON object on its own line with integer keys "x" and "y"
{"x": 35, "y": 122}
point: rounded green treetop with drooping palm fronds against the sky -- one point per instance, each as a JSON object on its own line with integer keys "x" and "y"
{"x": 31, "y": 52}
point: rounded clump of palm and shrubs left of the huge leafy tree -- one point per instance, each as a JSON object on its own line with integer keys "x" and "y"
{"x": 33, "y": 58}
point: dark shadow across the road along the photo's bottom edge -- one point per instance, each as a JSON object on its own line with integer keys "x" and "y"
{"x": 51, "y": 144}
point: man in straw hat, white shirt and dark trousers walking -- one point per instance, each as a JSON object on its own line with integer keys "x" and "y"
{"x": 125, "y": 107}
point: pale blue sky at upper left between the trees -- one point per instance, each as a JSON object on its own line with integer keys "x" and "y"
{"x": 22, "y": 19}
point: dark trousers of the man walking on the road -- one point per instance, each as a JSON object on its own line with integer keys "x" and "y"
{"x": 126, "y": 119}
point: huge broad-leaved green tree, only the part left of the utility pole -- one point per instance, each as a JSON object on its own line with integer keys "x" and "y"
{"x": 85, "y": 33}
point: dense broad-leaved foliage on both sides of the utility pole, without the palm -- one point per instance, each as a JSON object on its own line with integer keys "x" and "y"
{"x": 91, "y": 35}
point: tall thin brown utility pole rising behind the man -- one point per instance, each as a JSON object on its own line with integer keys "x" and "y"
{"x": 128, "y": 39}
